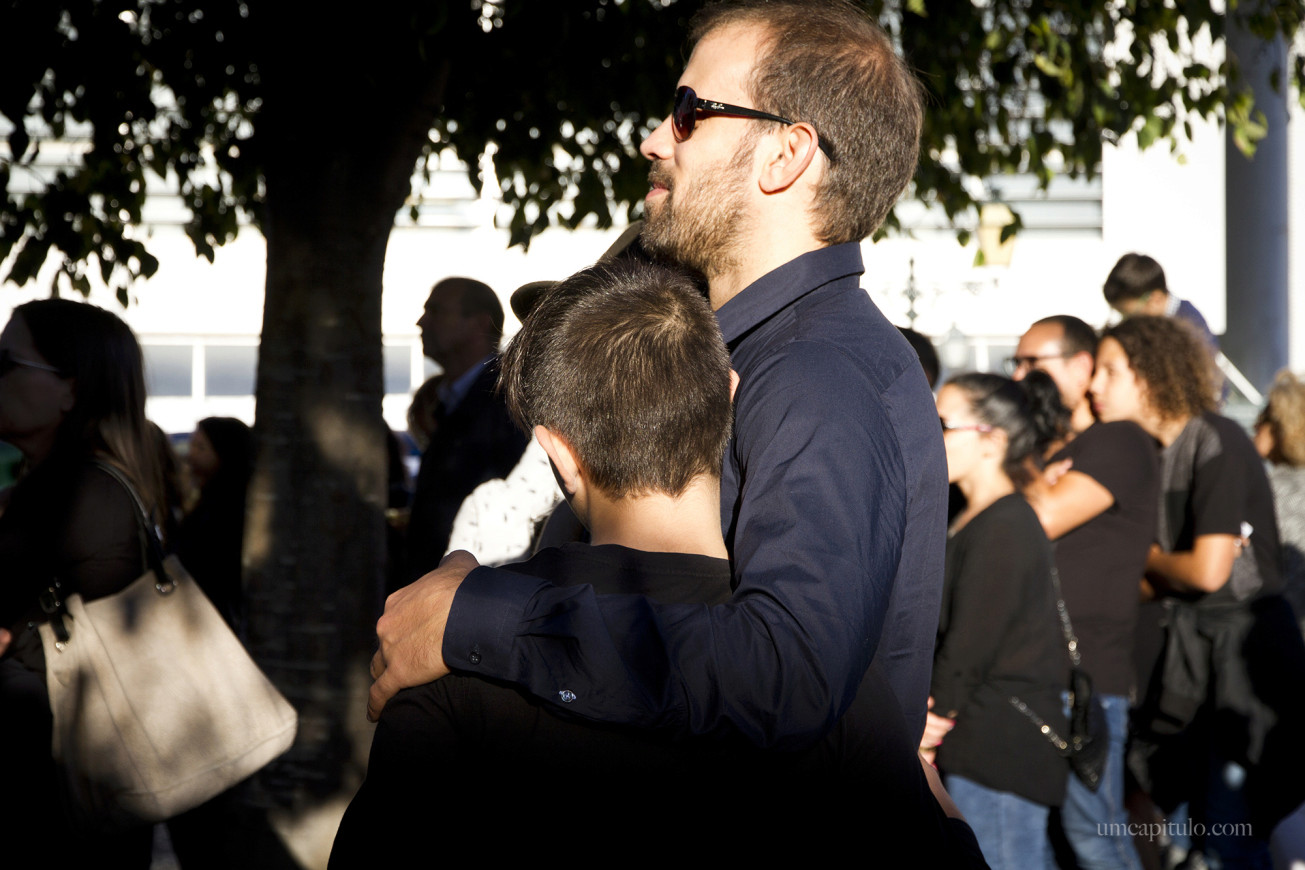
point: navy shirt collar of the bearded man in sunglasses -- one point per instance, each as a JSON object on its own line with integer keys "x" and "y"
{"x": 781, "y": 288}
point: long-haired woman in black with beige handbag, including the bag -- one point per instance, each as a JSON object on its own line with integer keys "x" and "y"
{"x": 87, "y": 602}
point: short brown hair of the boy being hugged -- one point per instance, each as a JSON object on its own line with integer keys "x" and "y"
{"x": 626, "y": 362}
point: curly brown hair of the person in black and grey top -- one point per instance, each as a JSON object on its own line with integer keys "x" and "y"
{"x": 1173, "y": 362}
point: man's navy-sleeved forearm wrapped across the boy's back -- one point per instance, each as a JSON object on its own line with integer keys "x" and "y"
{"x": 737, "y": 668}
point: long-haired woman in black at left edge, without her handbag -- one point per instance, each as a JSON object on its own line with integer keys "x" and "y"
{"x": 72, "y": 395}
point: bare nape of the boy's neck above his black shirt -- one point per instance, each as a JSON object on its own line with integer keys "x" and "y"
{"x": 661, "y": 524}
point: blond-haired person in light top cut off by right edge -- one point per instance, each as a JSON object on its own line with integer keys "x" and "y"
{"x": 1281, "y": 440}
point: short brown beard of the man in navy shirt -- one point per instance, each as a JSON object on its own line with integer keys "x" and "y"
{"x": 701, "y": 224}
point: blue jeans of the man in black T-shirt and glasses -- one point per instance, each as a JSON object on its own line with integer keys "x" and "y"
{"x": 1097, "y": 825}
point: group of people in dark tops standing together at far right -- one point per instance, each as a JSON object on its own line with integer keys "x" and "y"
{"x": 1170, "y": 577}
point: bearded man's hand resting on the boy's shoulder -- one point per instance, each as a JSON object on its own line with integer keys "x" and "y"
{"x": 412, "y": 632}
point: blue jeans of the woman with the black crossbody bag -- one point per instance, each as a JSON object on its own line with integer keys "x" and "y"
{"x": 1012, "y": 830}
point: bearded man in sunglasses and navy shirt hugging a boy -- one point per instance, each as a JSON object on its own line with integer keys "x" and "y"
{"x": 795, "y": 128}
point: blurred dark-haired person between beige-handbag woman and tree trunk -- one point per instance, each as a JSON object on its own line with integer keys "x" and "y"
{"x": 212, "y": 535}
